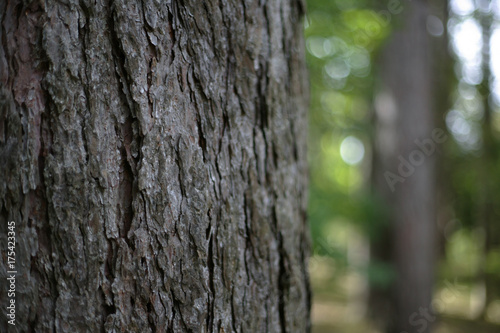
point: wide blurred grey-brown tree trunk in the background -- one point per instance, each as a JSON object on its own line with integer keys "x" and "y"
{"x": 404, "y": 174}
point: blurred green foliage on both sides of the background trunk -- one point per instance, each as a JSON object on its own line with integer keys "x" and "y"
{"x": 342, "y": 39}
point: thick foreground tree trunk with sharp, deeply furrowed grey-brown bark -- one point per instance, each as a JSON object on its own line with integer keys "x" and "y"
{"x": 152, "y": 156}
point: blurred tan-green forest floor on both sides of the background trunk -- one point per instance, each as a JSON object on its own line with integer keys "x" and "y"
{"x": 339, "y": 305}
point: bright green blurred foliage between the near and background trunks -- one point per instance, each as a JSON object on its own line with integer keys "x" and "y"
{"x": 340, "y": 50}
